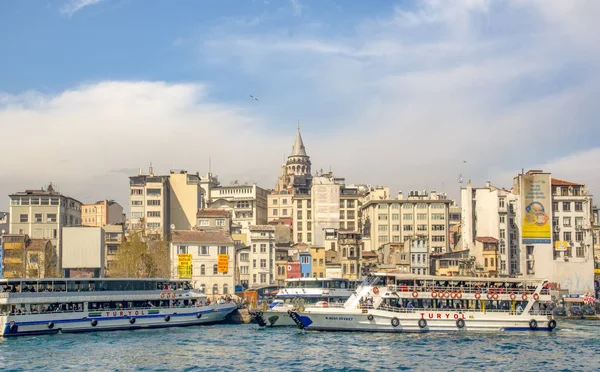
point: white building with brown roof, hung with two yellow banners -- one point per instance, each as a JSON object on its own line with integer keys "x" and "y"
{"x": 205, "y": 247}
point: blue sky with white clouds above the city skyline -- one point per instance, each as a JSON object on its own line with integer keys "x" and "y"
{"x": 406, "y": 94}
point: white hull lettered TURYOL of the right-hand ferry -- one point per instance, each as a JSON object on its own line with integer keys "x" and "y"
{"x": 418, "y": 322}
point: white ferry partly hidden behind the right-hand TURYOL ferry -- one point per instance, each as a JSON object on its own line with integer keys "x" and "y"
{"x": 304, "y": 292}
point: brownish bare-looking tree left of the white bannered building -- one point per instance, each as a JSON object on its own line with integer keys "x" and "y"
{"x": 137, "y": 258}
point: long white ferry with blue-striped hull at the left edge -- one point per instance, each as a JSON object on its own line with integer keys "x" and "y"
{"x": 45, "y": 306}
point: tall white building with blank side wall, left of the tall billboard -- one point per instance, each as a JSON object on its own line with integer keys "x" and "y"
{"x": 490, "y": 212}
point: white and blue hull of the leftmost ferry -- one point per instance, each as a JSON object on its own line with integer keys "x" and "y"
{"x": 110, "y": 320}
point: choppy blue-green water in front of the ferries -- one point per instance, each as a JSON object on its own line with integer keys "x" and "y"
{"x": 576, "y": 346}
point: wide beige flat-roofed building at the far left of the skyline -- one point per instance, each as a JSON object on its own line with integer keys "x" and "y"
{"x": 41, "y": 214}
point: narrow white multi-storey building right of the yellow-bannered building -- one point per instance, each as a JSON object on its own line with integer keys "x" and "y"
{"x": 261, "y": 256}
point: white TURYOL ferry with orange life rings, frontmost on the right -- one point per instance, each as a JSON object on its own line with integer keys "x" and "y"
{"x": 409, "y": 303}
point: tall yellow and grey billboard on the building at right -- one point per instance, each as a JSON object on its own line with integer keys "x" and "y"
{"x": 536, "y": 208}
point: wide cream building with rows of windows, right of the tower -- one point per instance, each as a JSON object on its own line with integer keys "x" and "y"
{"x": 419, "y": 216}
